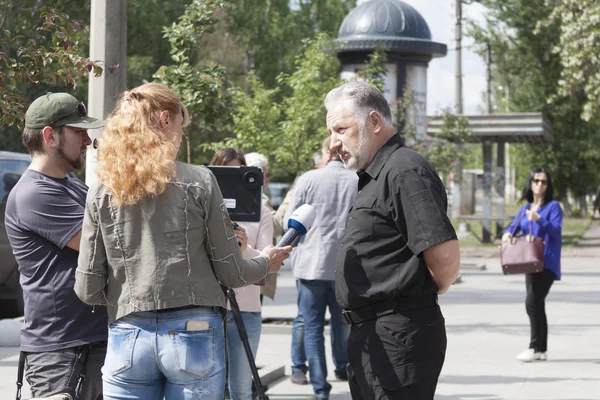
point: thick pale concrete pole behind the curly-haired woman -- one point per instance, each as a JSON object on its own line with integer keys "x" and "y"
{"x": 108, "y": 45}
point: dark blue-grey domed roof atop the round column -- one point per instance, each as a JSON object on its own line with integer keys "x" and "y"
{"x": 393, "y": 23}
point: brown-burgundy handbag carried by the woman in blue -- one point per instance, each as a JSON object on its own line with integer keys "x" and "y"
{"x": 523, "y": 254}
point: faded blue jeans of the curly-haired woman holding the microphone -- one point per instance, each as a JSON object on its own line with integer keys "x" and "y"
{"x": 151, "y": 355}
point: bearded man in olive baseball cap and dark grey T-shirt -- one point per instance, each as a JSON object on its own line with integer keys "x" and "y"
{"x": 63, "y": 341}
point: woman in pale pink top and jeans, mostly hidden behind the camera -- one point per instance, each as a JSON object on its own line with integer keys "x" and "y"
{"x": 253, "y": 237}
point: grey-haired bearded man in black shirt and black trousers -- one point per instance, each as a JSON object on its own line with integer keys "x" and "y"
{"x": 398, "y": 253}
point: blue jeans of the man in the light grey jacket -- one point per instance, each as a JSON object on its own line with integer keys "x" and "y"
{"x": 315, "y": 296}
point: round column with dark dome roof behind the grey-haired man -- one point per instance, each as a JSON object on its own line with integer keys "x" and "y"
{"x": 407, "y": 39}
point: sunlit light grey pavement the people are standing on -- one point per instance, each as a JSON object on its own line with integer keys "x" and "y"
{"x": 487, "y": 327}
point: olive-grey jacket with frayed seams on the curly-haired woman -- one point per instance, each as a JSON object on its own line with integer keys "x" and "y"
{"x": 172, "y": 250}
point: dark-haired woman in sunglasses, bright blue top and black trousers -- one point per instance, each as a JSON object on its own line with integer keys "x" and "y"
{"x": 546, "y": 216}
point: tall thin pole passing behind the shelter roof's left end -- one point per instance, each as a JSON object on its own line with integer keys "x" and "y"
{"x": 456, "y": 193}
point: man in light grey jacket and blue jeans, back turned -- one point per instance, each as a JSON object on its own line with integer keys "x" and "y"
{"x": 331, "y": 190}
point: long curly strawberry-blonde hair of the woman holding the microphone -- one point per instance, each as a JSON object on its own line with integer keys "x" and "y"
{"x": 136, "y": 156}
